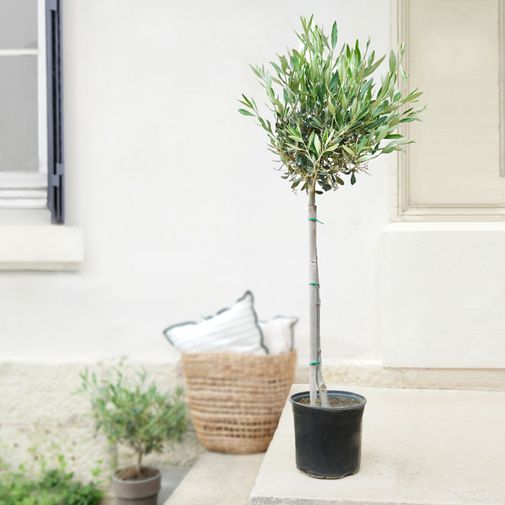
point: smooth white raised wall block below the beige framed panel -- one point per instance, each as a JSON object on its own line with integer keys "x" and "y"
{"x": 443, "y": 286}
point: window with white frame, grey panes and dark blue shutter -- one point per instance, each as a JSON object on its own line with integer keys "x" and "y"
{"x": 31, "y": 152}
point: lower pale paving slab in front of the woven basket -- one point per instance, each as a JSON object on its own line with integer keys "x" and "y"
{"x": 218, "y": 479}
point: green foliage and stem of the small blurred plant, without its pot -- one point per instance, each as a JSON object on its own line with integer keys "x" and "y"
{"x": 132, "y": 412}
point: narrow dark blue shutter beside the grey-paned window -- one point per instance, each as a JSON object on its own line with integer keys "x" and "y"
{"x": 56, "y": 167}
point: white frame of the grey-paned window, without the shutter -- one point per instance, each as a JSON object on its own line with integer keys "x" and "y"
{"x": 28, "y": 190}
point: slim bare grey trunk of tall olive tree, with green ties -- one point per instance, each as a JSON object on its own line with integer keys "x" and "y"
{"x": 316, "y": 383}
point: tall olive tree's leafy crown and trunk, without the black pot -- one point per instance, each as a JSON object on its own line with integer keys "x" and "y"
{"x": 330, "y": 119}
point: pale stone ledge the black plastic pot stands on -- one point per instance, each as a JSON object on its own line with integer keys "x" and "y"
{"x": 420, "y": 447}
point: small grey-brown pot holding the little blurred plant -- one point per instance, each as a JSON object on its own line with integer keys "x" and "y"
{"x": 134, "y": 488}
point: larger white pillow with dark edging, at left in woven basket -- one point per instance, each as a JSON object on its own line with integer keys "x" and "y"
{"x": 234, "y": 329}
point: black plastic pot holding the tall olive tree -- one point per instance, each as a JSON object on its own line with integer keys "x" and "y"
{"x": 328, "y": 440}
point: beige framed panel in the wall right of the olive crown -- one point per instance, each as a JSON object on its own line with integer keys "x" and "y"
{"x": 455, "y": 54}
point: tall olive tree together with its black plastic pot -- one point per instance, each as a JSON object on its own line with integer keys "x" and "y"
{"x": 330, "y": 119}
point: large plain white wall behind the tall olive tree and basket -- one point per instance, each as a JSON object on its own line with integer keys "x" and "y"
{"x": 176, "y": 193}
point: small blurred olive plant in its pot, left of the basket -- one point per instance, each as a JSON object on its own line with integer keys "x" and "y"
{"x": 132, "y": 412}
